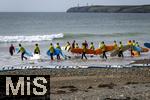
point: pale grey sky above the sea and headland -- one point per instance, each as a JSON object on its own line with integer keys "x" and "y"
{"x": 58, "y": 5}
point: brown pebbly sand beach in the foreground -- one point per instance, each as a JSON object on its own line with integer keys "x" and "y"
{"x": 95, "y": 83}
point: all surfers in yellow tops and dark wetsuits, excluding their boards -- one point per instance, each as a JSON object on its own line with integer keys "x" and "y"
{"x": 74, "y": 45}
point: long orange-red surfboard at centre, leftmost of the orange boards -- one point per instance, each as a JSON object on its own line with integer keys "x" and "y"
{"x": 80, "y": 51}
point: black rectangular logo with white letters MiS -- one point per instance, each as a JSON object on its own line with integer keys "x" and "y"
{"x": 24, "y": 86}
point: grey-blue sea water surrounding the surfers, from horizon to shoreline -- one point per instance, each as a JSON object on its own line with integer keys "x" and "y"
{"x": 45, "y": 28}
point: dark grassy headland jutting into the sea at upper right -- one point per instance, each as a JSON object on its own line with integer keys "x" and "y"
{"x": 111, "y": 9}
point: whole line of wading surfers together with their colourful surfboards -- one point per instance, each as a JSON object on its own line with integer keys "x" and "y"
{"x": 115, "y": 49}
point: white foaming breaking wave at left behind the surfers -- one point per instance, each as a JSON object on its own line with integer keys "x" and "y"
{"x": 33, "y": 38}
